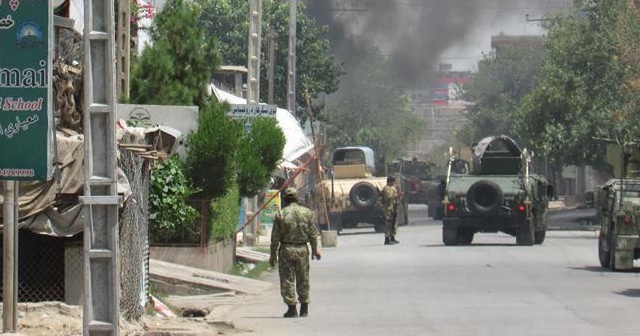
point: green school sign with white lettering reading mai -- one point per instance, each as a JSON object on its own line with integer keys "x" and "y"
{"x": 25, "y": 90}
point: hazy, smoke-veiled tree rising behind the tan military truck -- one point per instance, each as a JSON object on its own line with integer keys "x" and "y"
{"x": 371, "y": 110}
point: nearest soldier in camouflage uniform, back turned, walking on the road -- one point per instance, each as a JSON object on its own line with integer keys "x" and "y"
{"x": 293, "y": 229}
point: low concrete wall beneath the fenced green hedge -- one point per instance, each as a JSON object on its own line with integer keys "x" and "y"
{"x": 218, "y": 257}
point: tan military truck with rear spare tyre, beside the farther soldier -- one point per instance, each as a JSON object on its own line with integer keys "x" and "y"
{"x": 353, "y": 190}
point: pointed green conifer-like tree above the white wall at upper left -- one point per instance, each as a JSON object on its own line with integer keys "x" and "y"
{"x": 176, "y": 68}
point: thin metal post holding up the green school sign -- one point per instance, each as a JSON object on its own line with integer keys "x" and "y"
{"x": 9, "y": 283}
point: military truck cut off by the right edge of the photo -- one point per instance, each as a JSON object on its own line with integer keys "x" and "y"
{"x": 617, "y": 205}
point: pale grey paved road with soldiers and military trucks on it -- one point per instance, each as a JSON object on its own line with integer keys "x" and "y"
{"x": 421, "y": 287}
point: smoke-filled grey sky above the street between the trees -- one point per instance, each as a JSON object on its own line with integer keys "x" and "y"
{"x": 421, "y": 34}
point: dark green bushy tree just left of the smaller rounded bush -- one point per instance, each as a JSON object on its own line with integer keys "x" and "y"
{"x": 212, "y": 150}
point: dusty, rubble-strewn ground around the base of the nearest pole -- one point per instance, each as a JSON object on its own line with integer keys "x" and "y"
{"x": 59, "y": 319}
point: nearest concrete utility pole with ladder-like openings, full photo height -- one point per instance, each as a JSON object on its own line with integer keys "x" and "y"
{"x": 101, "y": 310}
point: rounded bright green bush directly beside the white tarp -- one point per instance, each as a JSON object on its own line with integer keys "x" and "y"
{"x": 261, "y": 149}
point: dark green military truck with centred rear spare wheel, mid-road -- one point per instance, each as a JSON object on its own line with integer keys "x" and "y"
{"x": 498, "y": 194}
